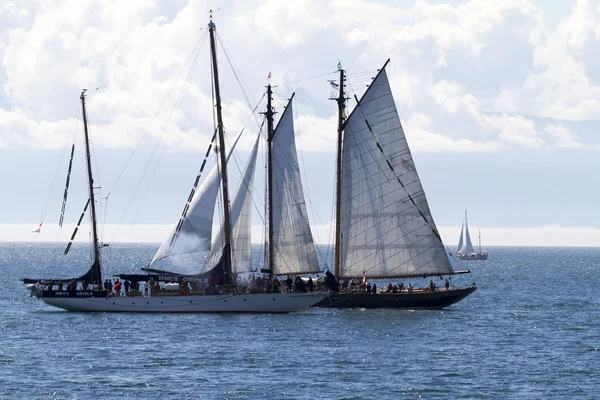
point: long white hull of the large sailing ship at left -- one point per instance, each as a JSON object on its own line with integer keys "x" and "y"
{"x": 236, "y": 303}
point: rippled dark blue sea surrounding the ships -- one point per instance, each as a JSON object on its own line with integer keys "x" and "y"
{"x": 531, "y": 331}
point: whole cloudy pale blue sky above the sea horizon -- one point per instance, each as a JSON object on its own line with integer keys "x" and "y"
{"x": 500, "y": 103}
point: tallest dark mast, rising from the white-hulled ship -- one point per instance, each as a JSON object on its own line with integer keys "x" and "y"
{"x": 226, "y": 218}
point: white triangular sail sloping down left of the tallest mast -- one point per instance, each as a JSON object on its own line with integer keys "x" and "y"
{"x": 195, "y": 232}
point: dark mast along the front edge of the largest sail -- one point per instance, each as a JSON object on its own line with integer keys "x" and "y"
{"x": 341, "y": 100}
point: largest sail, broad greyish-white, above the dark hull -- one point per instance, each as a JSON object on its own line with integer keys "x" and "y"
{"x": 386, "y": 226}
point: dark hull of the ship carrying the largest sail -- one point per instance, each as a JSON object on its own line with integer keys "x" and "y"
{"x": 417, "y": 299}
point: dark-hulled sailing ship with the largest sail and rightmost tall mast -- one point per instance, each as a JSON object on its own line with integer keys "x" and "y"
{"x": 384, "y": 228}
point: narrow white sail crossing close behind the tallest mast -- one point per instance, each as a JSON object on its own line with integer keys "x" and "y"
{"x": 241, "y": 211}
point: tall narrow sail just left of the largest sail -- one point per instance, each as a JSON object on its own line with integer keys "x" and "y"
{"x": 294, "y": 248}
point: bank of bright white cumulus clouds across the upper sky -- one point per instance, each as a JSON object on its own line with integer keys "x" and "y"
{"x": 470, "y": 77}
